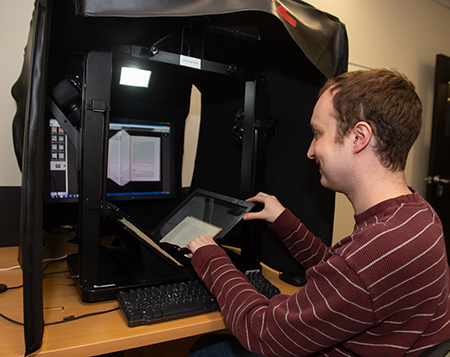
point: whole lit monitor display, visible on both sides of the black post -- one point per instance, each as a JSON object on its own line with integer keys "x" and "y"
{"x": 140, "y": 161}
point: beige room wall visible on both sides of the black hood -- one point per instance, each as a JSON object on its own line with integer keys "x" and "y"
{"x": 403, "y": 34}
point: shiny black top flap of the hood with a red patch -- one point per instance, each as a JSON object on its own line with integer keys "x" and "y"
{"x": 321, "y": 36}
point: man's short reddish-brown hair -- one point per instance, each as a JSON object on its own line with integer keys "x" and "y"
{"x": 384, "y": 99}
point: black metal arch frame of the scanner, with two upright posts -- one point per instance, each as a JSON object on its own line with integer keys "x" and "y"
{"x": 95, "y": 118}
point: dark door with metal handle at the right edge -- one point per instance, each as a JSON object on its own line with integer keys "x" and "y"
{"x": 438, "y": 191}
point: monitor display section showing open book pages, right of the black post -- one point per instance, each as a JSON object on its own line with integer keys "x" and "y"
{"x": 140, "y": 157}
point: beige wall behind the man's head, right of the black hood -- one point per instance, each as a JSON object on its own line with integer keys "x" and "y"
{"x": 405, "y": 35}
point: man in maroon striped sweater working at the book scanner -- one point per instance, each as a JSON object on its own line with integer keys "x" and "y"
{"x": 382, "y": 291}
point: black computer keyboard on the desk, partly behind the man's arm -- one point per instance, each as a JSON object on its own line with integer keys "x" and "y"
{"x": 143, "y": 306}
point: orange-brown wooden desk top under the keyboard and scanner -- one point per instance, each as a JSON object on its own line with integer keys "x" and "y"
{"x": 92, "y": 335}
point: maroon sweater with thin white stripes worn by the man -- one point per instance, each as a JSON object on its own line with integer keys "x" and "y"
{"x": 383, "y": 291}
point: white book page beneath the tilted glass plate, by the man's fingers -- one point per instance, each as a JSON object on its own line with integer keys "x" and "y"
{"x": 189, "y": 229}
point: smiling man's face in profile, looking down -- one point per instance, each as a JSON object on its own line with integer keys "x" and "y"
{"x": 331, "y": 155}
